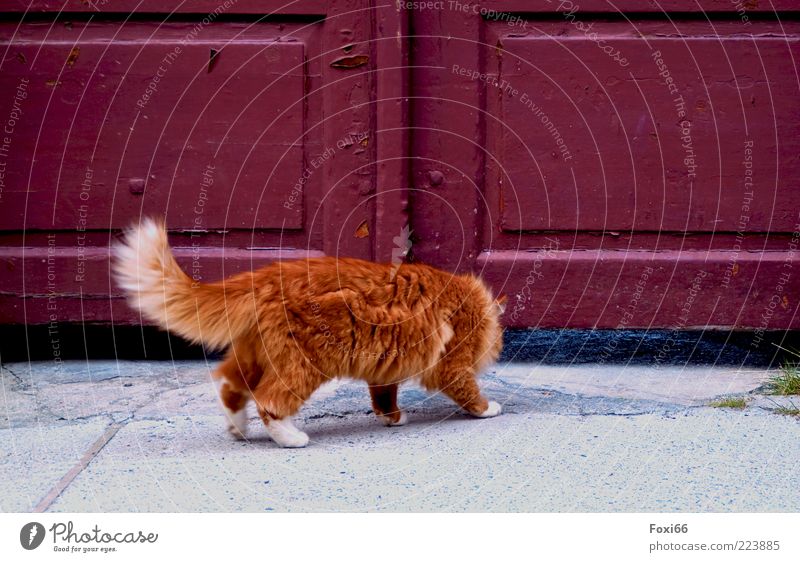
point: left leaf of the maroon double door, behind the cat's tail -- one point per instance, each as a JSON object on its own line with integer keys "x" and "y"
{"x": 249, "y": 126}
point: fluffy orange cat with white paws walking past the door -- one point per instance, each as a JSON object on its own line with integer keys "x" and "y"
{"x": 291, "y": 326}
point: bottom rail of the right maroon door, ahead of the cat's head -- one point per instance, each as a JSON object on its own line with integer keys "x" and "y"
{"x": 672, "y": 289}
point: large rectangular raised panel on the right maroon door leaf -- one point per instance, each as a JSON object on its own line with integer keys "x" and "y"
{"x": 597, "y": 146}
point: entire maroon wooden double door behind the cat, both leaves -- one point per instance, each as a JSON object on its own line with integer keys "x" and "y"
{"x": 620, "y": 165}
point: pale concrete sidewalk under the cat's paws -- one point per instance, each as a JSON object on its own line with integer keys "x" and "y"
{"x": 149, "y": 436}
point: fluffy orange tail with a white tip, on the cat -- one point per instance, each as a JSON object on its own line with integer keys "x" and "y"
{"x": 210, "y": 313}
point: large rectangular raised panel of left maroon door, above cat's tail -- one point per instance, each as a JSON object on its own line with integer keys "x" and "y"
{"x": 161, "y": 127}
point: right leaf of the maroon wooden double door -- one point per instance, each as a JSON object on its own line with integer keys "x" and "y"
{"x": 609, "y": 169}
